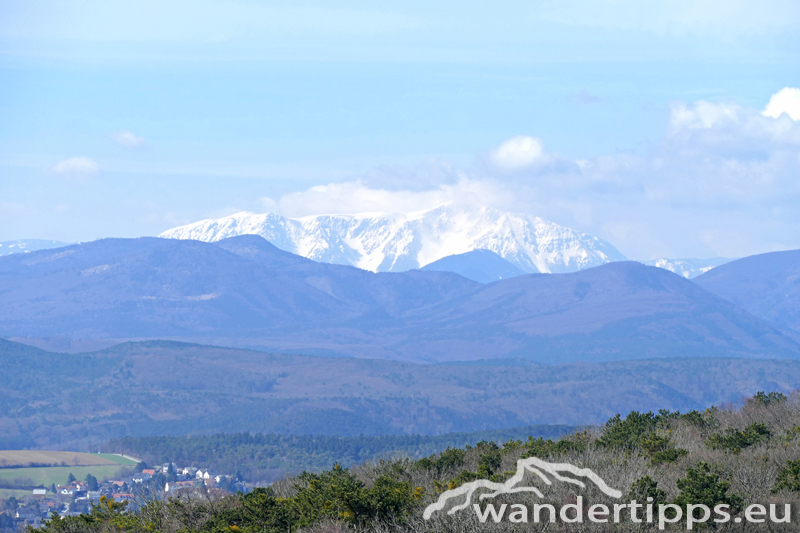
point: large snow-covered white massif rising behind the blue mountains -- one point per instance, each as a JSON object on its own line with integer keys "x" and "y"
{"x": 398, "y": 242}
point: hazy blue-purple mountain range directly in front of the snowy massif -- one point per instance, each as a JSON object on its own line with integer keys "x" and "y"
{"x": 245, "y": 292}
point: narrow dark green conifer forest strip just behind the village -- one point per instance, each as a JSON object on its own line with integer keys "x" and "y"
{"x": 266, "y": 457}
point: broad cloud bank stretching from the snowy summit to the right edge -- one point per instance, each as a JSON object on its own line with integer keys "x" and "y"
{"x": 721, "y": 182}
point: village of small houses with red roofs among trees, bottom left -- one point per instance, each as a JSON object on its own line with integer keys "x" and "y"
{"x": 79, "y": 496}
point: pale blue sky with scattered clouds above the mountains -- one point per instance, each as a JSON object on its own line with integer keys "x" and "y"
{"x": 670, "y": 128}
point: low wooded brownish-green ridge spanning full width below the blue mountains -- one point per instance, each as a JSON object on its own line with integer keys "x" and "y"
{"x": 50, "y": 401}
